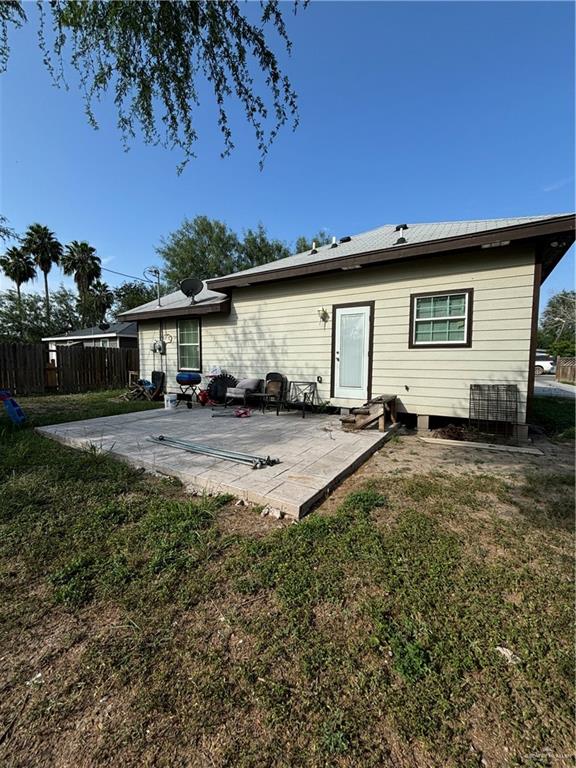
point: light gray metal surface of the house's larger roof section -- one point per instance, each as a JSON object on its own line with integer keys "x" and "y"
{"x": 386, "y": 236}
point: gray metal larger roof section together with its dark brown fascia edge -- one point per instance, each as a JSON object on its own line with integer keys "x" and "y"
{"x": 381, "y": 245}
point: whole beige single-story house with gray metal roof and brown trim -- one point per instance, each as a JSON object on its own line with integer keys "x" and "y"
{"x": 420, "y": 310}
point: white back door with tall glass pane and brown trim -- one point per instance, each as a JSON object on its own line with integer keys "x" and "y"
{"x": 352, "y": 352}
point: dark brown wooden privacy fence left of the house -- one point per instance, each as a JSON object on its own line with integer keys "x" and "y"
{"x": 24, "y": 368}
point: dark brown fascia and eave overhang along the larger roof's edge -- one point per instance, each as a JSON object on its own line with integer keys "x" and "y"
{"x": 560, "y": 229}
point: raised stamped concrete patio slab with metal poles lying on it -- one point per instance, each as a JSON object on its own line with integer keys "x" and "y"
{"x": 315, "y": 454}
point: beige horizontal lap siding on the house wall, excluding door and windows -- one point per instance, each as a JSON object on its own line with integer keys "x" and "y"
{"x": 276, "y": 327}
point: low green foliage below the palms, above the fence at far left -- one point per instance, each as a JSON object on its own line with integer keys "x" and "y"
{"x": 63, "y": 317}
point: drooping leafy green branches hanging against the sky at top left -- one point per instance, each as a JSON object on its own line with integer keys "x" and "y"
{"x": 153, "y": 55}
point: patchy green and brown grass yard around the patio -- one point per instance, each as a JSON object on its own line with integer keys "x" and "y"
{"x": 144, "y": 627}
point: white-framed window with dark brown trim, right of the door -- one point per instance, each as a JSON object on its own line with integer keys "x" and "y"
{"x": 441, "y": 319}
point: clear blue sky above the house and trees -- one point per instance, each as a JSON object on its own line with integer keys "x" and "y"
{"x": 408, "y": 112}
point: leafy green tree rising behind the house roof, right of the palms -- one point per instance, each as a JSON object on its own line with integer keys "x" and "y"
{"x": 204, "y": 248}
